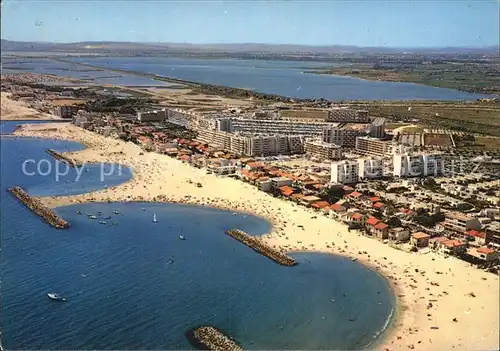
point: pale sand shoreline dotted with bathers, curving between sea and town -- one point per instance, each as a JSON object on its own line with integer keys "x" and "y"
{"x": 409, "y": 316}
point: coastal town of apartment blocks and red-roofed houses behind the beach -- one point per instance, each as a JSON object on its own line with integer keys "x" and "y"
{"x": 401, "y": 185}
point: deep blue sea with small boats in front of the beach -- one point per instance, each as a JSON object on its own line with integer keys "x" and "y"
{"x": 132, "y": 284}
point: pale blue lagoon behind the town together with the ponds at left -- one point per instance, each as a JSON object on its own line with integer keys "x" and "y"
{"x": 286, "y": 78}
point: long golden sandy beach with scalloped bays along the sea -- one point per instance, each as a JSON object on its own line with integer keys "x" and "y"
{"x": 432, "y": 290}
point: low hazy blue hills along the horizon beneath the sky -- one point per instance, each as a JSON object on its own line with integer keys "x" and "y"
{"x": 106, "y": 47}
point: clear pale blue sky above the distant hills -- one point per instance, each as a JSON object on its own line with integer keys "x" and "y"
{"x": 362, "y": 23}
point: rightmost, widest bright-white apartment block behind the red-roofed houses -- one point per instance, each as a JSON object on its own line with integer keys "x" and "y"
{"x": 420, "y": 165}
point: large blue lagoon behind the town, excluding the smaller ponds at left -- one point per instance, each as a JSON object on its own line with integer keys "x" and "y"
{"x": 286, "y": 78}
